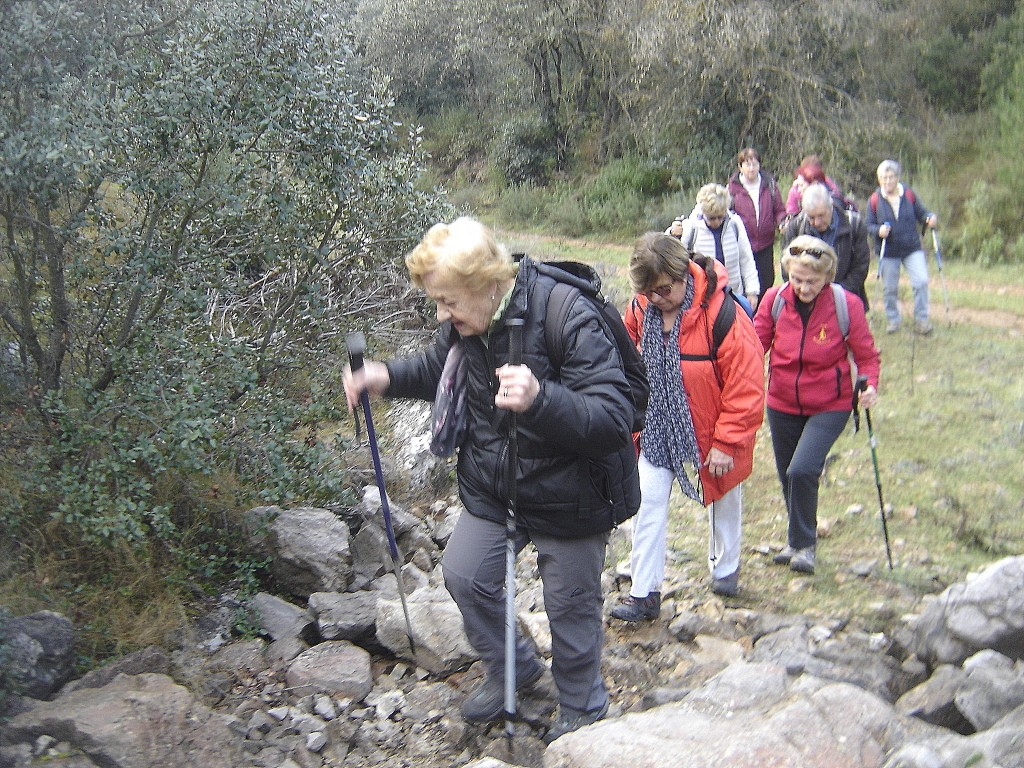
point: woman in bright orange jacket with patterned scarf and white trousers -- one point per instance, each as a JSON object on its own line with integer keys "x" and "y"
{"x": 703, "y": 417}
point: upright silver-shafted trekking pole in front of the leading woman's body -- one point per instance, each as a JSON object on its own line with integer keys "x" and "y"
{"x": 516, "y": 359}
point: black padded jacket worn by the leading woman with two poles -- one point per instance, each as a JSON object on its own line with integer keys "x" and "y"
{"x": 578, "y": 467}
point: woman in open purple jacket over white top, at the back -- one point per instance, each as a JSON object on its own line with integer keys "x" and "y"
{"x": 757, "y": 201}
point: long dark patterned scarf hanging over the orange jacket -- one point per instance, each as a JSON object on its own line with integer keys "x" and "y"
{"x": 668, "y": 440}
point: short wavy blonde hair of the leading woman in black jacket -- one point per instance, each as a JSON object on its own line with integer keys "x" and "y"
{"x": 464, "y": 253}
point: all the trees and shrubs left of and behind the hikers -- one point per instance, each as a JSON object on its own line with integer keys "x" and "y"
{"x": 199, "y": 198}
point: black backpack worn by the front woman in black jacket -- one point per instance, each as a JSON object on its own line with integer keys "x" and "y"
{"x": 573, "y": 279}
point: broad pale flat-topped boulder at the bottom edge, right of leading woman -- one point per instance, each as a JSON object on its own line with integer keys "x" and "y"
{"x": 749, "y": 716}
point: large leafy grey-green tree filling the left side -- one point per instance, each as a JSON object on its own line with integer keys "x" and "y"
{"x": 198, "y": 199}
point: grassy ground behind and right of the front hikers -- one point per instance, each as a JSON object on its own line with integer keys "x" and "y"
{"x": 950, "y": 432}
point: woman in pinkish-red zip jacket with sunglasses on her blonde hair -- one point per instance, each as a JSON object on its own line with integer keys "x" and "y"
{"x": 810, "y": 390}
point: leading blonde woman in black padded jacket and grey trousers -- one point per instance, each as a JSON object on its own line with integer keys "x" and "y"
{"x": 576, "y": 478}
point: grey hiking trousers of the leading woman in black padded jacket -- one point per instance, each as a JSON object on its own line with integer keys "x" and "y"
{"x": 571, "y": 573}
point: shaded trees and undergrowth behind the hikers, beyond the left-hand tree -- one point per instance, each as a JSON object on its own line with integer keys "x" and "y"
{"x": 596, "y": 115}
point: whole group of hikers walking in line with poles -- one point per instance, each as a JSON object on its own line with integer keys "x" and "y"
{"x": 570, "y": 419}
